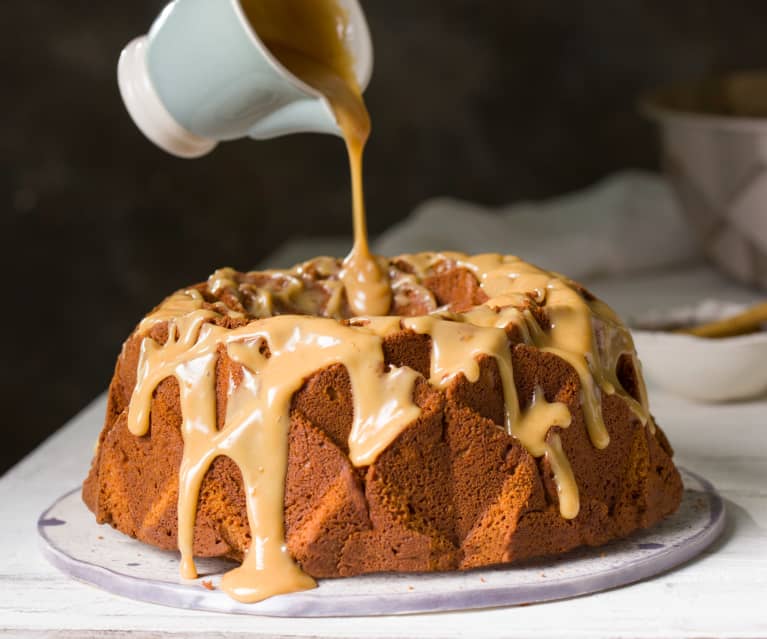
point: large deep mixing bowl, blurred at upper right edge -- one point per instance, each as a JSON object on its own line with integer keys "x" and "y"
{"x": 714, "y": 137}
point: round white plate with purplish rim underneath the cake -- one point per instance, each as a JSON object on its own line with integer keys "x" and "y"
{"x": 73, "y": 542}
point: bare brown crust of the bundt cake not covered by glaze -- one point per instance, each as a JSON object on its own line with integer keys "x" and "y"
{"x": 453, "y": 491}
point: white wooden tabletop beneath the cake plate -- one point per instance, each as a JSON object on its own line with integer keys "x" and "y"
{"x": 721, "y": 594}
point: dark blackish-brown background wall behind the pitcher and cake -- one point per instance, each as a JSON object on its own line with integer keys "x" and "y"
{"x": 490, "y": 100}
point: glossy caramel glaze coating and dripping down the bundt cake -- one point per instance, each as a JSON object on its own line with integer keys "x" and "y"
{"x": 300, "y": 321}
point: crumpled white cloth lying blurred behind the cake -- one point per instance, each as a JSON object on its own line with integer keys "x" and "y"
{"x": 626, "y": 223}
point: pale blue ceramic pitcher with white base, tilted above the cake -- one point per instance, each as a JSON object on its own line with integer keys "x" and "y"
{"x": 202, "y": 75}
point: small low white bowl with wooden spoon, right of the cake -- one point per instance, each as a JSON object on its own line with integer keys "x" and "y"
{"x": 709, "y": 370}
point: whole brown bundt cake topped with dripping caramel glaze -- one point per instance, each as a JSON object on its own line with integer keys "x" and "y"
{"x": 497, "y": 413}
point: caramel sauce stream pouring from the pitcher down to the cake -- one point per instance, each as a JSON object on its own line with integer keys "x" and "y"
{"x": 307, "y": 37}
